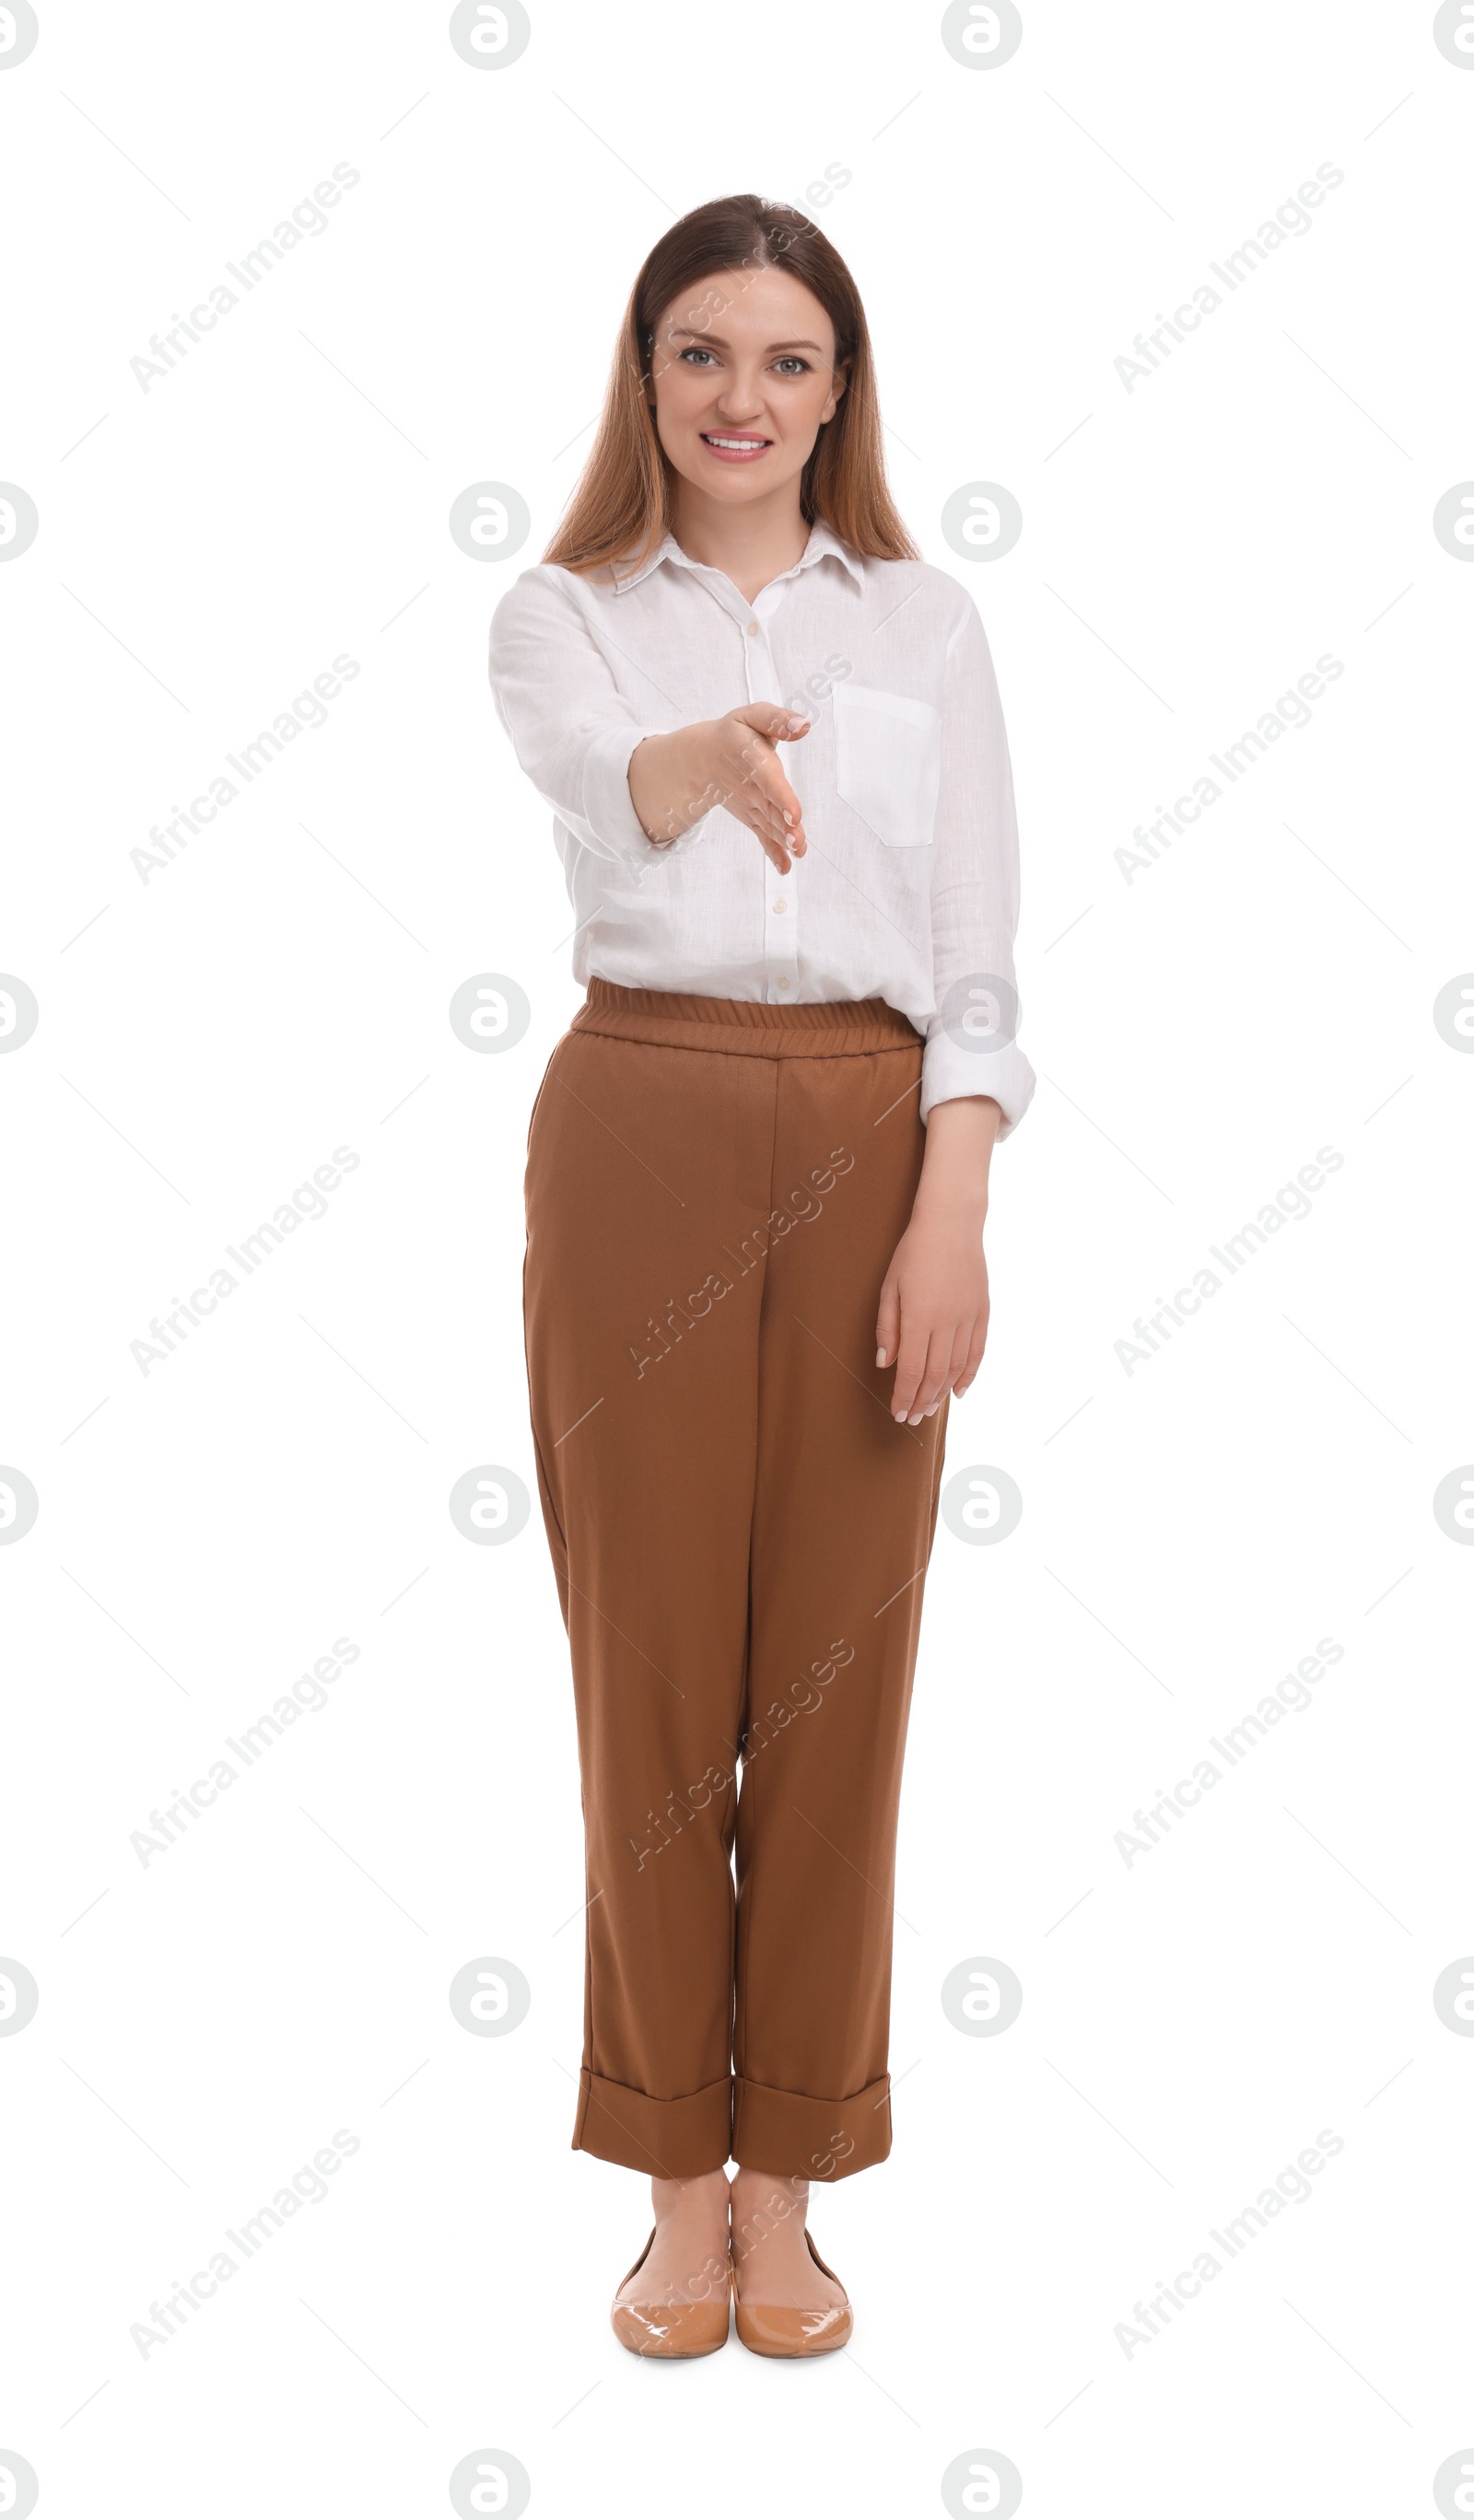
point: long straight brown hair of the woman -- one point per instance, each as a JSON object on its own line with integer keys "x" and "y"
{"x": 621, "y": 508}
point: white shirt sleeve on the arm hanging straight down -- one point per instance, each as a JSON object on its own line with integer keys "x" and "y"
{"x": 974, "y": 1032}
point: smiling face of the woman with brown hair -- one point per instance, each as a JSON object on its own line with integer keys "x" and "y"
{"x": 745, "y": 379}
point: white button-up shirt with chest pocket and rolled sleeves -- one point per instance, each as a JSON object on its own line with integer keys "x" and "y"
{"x": 911, "y": 881}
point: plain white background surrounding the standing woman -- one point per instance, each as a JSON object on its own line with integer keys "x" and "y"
{"x": 1191, "y": 1531}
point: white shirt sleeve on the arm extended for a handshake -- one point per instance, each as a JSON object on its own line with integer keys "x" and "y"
{"x": 571, "y": 727}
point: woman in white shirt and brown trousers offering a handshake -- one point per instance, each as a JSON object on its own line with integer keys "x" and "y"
{"x": 755, "y": 1228}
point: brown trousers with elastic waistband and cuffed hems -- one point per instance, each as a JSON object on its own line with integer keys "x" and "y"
{"x": 740, "y": 1533}
